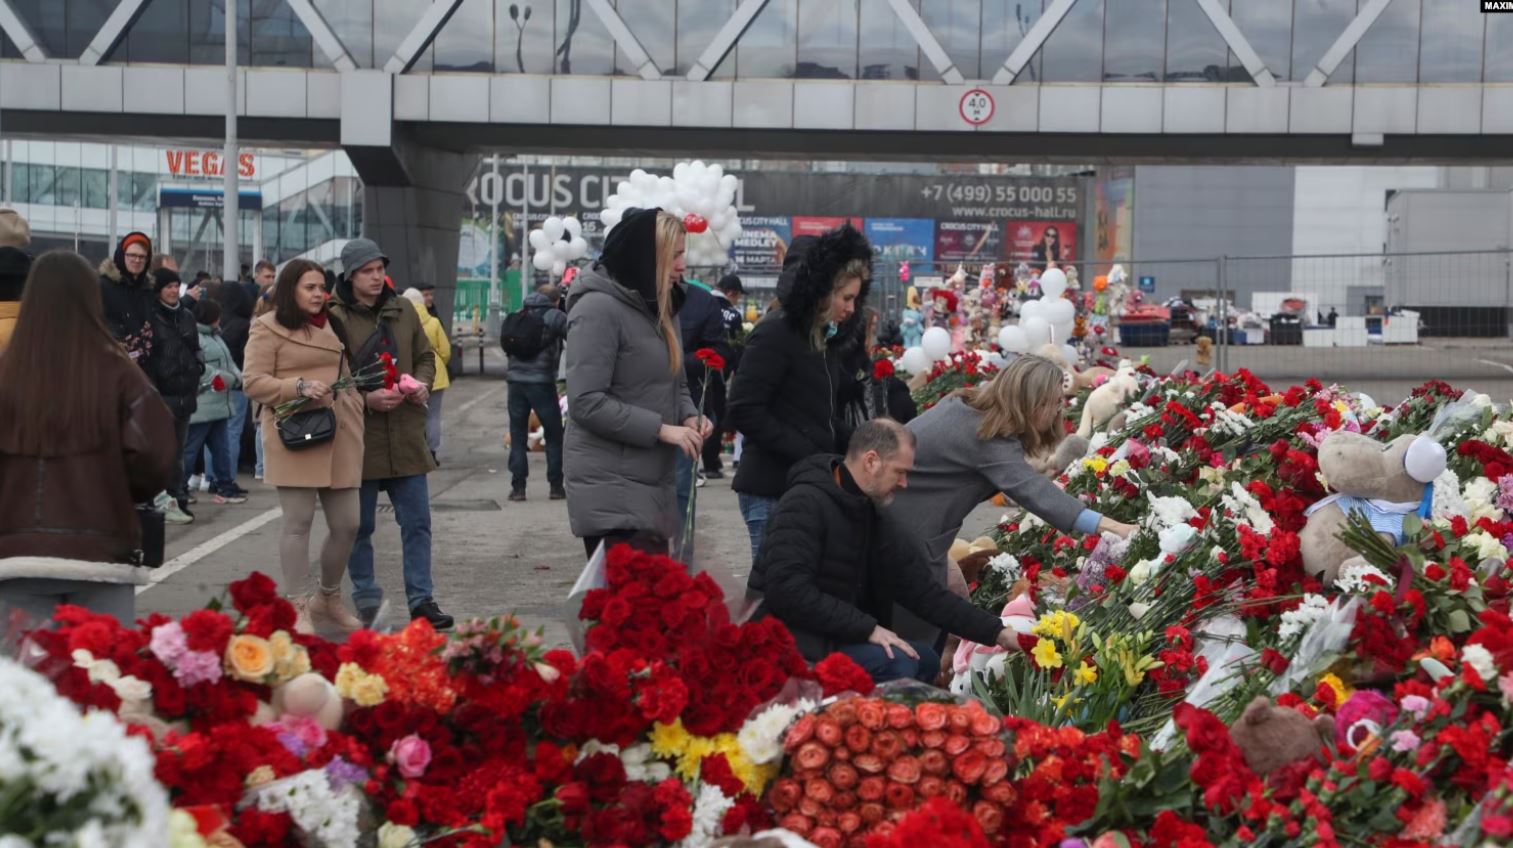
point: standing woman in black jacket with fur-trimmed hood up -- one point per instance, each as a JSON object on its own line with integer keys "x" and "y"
{"x": 784, "y": 399}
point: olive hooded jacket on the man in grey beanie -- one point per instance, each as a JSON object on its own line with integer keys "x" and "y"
{"x": 394, "y": 443}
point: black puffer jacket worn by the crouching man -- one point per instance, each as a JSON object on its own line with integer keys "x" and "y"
{"x": 831, "y": 567}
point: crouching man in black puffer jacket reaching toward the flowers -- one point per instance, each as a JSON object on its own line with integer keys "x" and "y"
{"x": 833, "y": 566}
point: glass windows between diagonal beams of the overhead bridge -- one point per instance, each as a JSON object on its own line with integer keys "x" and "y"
{"x": 1415, "y": 42}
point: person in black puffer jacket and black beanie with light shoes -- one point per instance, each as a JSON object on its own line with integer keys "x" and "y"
{"x": 175, "y": 369}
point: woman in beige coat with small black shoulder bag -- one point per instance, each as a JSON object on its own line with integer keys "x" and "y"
{"x": 294, "y": 354}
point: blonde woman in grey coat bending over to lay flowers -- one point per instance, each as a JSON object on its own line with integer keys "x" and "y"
{"x": 978, "y": 443}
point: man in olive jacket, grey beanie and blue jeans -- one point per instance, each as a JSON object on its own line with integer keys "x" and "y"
{"x": 371, "y": 319}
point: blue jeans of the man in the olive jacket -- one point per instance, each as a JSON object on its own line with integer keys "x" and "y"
{"x": 412, "y": 511}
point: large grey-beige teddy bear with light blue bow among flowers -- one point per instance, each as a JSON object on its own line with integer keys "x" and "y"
{"x": 1387, "y": 482}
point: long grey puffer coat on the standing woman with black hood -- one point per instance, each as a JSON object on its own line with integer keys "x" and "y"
{"x": 621, "y": 391}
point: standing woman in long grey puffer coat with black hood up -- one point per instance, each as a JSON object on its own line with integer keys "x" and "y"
{"x": 629, "y": 407}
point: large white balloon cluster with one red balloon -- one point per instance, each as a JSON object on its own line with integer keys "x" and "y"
{"x": 695, "y": 193}
